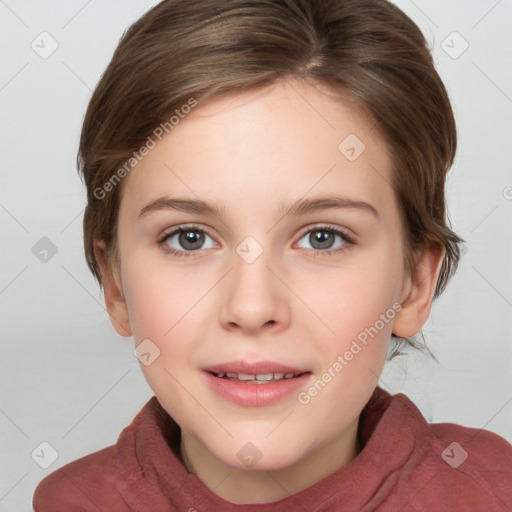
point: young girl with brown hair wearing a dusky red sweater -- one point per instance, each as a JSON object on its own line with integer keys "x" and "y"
{"x": 266, "y": 214}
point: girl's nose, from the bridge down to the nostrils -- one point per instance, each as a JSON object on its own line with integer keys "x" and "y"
{"x": 253, "y": 299}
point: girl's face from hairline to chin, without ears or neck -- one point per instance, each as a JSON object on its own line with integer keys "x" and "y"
{"x": 260, "y": 244}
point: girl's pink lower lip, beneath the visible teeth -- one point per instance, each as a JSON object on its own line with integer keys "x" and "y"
{"x": 255, "y": 395}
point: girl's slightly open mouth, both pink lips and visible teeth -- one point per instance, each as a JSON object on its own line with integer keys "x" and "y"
{"x": 255, "y": 384}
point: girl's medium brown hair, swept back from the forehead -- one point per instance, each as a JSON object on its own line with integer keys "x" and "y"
{"x": 367, "y": 50}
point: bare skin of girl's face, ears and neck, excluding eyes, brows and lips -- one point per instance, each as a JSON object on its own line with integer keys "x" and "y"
{"x": 253, "y": 154}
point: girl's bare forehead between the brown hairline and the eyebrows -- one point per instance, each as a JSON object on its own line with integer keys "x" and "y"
{"x": 285, "y": 139}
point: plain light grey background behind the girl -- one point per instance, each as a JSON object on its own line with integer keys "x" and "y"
{"x": 69, "y": 380}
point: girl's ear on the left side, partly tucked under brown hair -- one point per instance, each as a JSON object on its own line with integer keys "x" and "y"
{"x": 114, "y": 298}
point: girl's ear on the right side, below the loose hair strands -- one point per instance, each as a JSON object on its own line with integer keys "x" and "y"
{"x": 418, "y": 293}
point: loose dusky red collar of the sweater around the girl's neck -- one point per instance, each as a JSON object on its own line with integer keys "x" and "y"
{"x": 149, "y": 450}
